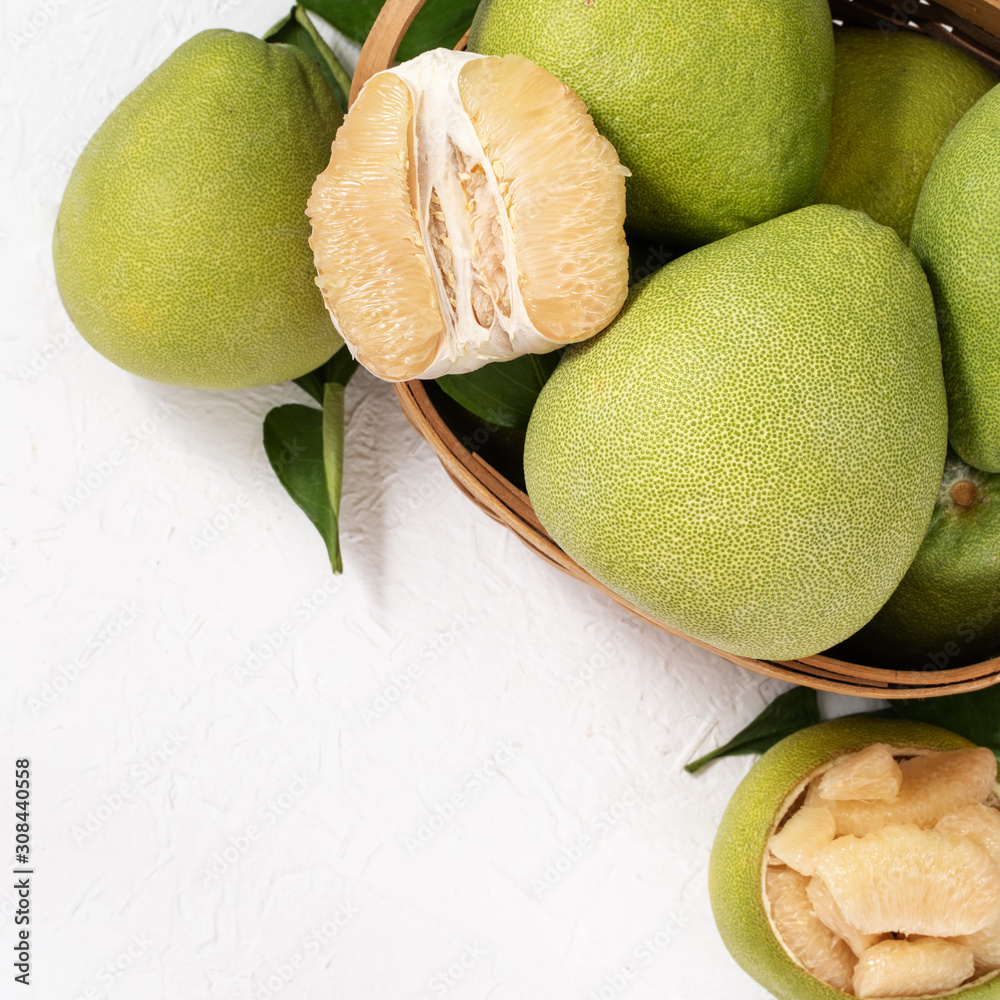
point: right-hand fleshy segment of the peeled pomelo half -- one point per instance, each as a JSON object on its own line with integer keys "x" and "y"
{"x": 562, "y": 186}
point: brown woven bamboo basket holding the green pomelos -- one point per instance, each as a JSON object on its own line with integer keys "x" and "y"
{"x": 973, "y": 25}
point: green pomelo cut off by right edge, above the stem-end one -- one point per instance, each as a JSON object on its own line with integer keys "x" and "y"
{"x": 956, "y": 235}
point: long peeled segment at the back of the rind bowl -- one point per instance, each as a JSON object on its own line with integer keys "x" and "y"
{"x": 933, "y": 786}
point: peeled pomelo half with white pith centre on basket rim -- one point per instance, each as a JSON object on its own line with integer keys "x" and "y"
{"x": 470, "y": 213}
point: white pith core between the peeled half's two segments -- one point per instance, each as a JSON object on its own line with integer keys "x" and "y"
{"x": 445, "y": 158}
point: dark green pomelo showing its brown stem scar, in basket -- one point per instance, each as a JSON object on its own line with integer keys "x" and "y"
{"x": 946, "y": 610}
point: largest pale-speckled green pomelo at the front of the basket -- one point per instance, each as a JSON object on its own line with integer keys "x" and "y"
{"x": 751, "y": 451}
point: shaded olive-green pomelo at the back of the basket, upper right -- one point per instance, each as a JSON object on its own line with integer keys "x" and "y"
{"x": 896, "y": 97}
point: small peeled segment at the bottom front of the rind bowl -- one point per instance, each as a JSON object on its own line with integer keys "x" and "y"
{"x": 912, "y": 968}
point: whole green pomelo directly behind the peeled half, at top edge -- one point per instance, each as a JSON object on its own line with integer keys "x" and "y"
{"x": 721, "y": 108}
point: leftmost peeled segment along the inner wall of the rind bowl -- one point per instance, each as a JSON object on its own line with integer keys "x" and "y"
{"x": 819, "y": 950}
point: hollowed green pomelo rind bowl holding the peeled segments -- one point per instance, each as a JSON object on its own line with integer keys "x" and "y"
{"x": 735, "y": 871}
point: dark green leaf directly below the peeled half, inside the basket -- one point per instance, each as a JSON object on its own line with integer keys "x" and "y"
{"x": 504, "y": 392}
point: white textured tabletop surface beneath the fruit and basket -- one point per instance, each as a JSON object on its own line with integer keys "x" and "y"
{"x": 233, "y": 798}
